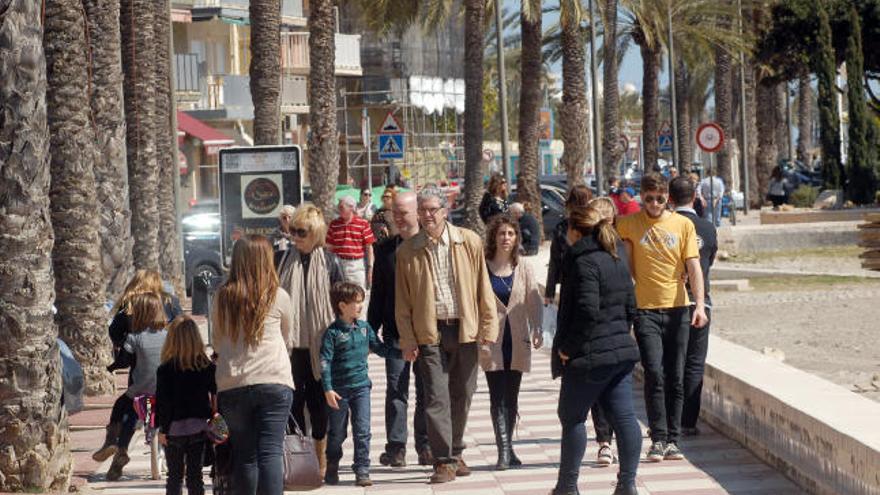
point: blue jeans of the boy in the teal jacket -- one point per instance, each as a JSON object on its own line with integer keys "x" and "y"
{"x": 357, "y": 401}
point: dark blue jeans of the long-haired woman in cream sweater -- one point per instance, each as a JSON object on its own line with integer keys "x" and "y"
{"x": 257, "y": 417}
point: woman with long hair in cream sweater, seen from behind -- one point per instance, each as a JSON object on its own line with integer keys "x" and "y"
{"x": 252, "y": 337}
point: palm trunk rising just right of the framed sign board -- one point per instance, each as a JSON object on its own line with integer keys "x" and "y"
{"x": 323, "y": 138}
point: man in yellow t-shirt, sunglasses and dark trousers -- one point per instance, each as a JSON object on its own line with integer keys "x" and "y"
{"x": 662, "y": 248}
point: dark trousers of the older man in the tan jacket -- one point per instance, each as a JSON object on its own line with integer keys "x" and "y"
{"x": 449, "y": 371}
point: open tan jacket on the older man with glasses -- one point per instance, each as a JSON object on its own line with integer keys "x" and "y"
{"x": 415, "y": 313}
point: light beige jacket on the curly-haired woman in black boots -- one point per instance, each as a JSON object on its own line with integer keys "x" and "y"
{"x": 524, "y": 311}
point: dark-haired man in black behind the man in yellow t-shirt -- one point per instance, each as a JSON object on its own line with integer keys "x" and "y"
{"x": 682, "y": 194}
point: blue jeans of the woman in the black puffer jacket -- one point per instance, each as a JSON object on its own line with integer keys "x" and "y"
{"x": 611, "y": 386}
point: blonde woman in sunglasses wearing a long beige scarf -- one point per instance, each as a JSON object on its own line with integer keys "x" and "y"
{"x": 308, "y": 271}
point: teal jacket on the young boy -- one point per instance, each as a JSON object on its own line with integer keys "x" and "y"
{"x": 344, "y": 351}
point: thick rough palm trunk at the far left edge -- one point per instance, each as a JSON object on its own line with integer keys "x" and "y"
{"x": 36, "y": 445}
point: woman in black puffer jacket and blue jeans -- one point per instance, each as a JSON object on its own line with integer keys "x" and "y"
{"x": 593, "y": 350}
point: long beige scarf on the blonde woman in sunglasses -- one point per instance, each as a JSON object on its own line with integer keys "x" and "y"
{"x": 311, "y": 311}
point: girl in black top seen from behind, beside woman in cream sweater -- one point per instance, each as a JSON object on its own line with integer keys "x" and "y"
{"x": 185, "y": 390}
